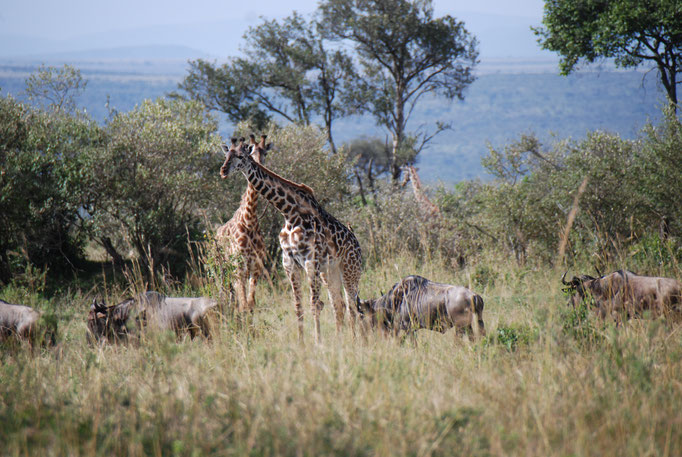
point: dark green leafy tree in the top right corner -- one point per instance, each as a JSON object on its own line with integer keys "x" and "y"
{"x": 629, "y": 31}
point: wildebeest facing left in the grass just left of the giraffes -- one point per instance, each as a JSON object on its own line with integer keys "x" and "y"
{"x": 152, "y": 309}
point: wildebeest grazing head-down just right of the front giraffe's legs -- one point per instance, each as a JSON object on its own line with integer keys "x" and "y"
{"x": 415, "y": 302}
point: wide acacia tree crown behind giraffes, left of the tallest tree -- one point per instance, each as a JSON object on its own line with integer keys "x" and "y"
{"x": 287, "y": 71}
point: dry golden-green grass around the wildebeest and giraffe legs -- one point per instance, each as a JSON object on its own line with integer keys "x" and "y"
{"x": 535, "y": 386}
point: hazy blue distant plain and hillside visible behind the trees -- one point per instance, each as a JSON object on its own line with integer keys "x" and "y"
{"x": 510, "y": 97}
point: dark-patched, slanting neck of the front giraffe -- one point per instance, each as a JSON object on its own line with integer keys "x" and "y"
{"x": 282, "y": 194}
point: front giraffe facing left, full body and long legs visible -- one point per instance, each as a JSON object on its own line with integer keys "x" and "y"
{"x": 312, "y": 240}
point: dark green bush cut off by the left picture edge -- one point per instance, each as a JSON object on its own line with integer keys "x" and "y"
{"x": 43, "y": 156}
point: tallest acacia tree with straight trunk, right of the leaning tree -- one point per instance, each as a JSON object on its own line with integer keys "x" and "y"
{"x": 404, "y": 53}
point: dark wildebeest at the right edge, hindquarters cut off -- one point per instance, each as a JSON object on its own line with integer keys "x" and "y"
{"x": 626, "y": 293}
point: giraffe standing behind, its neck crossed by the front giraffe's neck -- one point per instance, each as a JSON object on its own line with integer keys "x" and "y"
{"x": 241, "y": 236}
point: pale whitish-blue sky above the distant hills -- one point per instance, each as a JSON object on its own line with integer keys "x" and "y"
{"x": 70, "y": 19}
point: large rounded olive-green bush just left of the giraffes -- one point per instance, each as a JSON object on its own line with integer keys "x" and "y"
{"x": 148, "y": 186}
